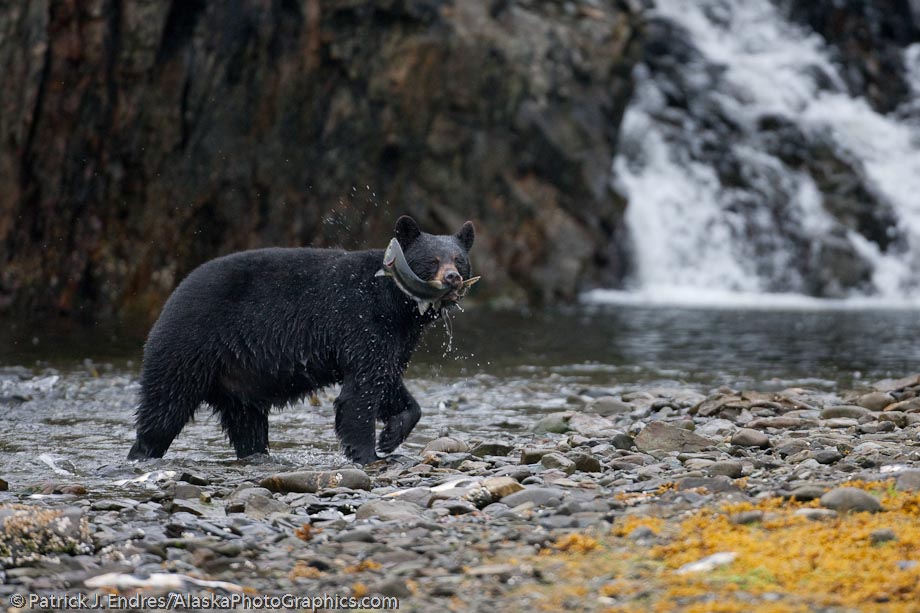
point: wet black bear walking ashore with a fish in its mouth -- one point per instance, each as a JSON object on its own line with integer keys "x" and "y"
{"x": 263, "y": 328}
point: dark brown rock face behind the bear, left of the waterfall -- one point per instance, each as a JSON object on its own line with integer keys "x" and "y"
{"x": 143, "y": 138}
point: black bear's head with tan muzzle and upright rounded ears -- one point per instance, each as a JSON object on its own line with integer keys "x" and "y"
{"x": 440, "y": 257}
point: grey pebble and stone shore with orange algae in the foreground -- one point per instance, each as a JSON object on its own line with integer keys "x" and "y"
{"x": 658, "y": 497}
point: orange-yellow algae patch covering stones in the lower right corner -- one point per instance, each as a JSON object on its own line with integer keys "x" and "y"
{"x": 784, "y": 563}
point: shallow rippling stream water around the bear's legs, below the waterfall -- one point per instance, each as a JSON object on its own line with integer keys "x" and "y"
{"x": 505, "y": 369}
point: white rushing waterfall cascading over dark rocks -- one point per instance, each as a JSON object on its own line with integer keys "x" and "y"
{"x": 696, "y": 240}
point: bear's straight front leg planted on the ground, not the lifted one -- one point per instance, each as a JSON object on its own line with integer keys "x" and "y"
{"x": 355, "y": 416}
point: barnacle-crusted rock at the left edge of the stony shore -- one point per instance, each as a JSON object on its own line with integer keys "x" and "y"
{"x": 29, "y": 532}
